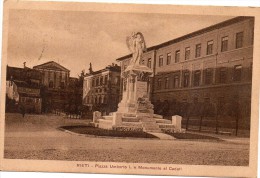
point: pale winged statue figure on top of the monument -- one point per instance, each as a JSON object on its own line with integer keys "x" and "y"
{"x": 136, "y": 45}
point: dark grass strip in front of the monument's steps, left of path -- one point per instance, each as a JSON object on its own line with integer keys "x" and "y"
{"x": 89, "y": 130}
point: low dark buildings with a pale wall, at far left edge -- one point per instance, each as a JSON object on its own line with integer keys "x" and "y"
{"x": 23, "y": 90}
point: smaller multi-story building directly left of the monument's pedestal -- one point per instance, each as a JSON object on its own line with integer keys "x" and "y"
{"x": 101, "y": 89}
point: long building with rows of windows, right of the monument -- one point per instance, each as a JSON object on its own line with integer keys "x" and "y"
{"x": 212, "y": 66}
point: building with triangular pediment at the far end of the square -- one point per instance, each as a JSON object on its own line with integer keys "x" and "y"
{"x": 60, "y": 91}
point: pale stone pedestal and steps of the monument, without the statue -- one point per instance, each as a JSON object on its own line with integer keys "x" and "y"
{"x": 135, "y": 111}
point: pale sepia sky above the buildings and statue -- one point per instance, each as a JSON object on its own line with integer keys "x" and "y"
{"x": 74, "y": 39}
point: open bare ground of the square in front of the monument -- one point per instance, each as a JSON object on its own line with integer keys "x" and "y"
{"x": 37, "y": 137}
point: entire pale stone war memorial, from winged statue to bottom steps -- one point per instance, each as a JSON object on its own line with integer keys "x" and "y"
{"x": 135, "y": 111}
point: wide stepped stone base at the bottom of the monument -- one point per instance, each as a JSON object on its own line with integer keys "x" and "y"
{"x": 138, "y": 122}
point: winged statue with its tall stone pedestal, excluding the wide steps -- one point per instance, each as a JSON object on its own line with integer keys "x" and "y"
{"x": 136, "y": 78}
